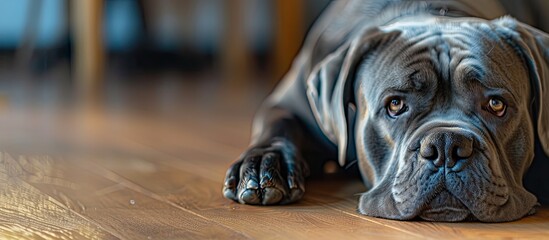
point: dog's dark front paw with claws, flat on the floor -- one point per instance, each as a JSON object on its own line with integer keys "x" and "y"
{"x": 267, "y": 174}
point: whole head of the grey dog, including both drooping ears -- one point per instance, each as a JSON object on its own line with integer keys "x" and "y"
{"x": 444, "y": 115}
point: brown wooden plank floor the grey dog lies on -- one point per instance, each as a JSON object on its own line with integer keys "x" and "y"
{"x": 149, "y": 163}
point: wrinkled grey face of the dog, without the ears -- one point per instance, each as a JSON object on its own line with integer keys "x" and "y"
{"x": 441, "y": 119}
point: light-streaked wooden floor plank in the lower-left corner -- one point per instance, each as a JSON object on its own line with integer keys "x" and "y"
{"x": 27, "y": 213}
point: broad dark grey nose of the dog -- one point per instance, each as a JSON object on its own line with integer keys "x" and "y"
{"x": 446, "y": 146}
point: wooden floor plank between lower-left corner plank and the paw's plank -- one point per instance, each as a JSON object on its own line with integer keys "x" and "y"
{"x": 115, "y": 208}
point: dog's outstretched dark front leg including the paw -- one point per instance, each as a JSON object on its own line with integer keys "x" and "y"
{"x": 272, "y": 170}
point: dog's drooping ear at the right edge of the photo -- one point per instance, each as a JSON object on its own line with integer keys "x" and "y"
{"x": 534, "y": 46}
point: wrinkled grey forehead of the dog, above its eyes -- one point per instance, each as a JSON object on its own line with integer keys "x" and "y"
{"x": 438, "y": 60}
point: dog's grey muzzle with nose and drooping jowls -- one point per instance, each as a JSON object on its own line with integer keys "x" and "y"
{"x": 446, "y": 166}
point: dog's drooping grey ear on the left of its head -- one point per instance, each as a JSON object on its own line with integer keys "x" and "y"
{"x": 330, "y": 88}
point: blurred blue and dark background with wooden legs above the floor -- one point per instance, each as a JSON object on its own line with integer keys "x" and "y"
{"x": 91, "y": 40}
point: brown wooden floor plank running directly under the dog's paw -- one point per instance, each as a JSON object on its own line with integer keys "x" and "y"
{"x": 313, "y": 220}
